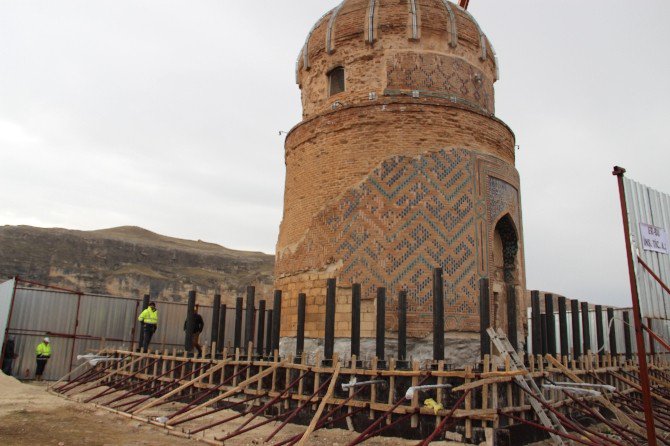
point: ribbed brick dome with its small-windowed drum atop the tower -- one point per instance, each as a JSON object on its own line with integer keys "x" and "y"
{"x": 376, "y": 42}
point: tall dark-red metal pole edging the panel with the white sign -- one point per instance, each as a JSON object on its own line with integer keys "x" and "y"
{"x": 637, "y": 316}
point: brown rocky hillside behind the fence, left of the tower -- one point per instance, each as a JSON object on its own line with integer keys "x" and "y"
{"x": 131, "y": 261}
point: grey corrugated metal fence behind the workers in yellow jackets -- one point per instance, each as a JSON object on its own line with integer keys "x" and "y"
{"x": 77, "y": 324}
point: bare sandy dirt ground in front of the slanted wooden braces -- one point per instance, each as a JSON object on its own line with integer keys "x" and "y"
{"x": 30, "y": 416}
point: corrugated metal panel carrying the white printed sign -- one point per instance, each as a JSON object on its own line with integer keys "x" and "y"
{"x": 648, "y": 206}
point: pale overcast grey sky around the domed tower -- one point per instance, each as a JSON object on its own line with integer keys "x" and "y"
{"x": 166, "y": 114}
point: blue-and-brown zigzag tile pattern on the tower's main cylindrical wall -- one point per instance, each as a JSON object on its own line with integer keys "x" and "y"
{"x": 406, "y": 217}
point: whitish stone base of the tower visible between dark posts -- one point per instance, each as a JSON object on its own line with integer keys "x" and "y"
{"x": 461, "y": 349}
